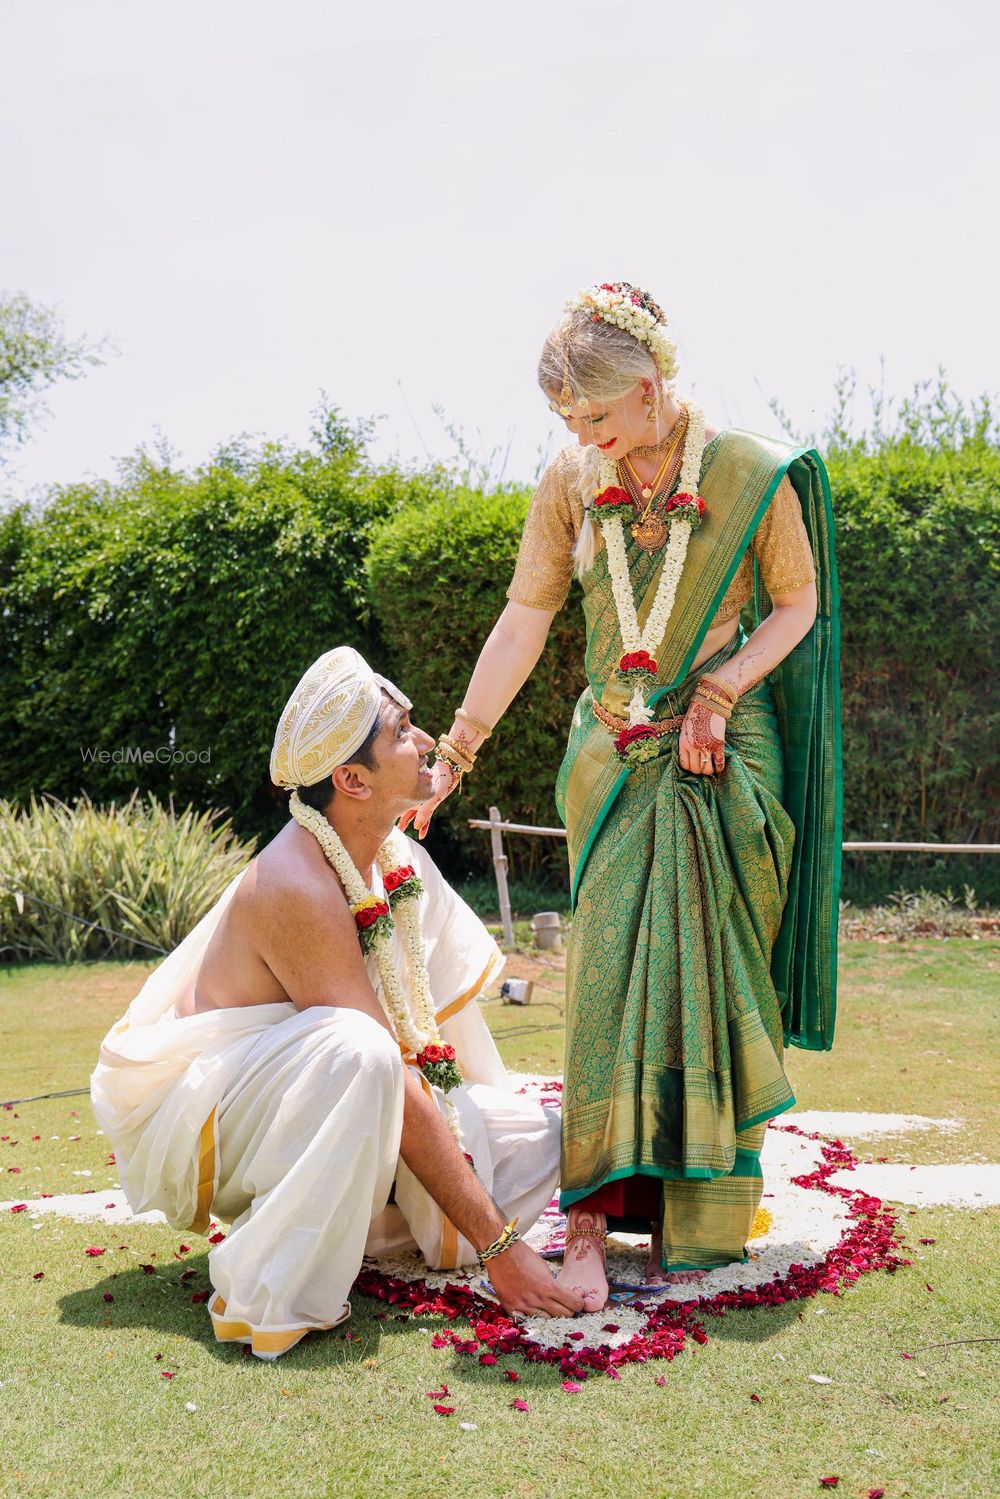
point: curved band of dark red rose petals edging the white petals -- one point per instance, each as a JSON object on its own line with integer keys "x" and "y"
{"x": 870, "y": 1243}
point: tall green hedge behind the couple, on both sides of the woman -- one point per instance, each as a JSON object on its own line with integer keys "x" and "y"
{"x": 175, "y": 609}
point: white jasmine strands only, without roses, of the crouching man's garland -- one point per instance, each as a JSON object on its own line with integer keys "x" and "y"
{"x": 415, "y": 1022}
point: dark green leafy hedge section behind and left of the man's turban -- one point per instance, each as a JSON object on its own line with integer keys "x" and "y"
{"x": 173, "y": 615}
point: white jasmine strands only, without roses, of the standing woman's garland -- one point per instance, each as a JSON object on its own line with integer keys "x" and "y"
{"x": 651, "y": 636}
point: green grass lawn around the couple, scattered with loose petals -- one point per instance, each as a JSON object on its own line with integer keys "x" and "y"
{"x": 85, "y": 1407}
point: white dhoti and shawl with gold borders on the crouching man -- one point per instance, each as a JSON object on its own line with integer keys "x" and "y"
{"x": 287, "y": 1125}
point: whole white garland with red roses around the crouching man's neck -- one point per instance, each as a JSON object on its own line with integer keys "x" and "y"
{"x": 416, "y": 1028}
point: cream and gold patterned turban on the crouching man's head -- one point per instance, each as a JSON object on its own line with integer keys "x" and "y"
{"x": 328, "y": 717}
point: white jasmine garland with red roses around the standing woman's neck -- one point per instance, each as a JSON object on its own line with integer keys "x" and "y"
{"x": 686, "y": 509}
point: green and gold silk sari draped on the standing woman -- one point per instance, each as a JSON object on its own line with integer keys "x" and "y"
{"x": 704, "y": 935}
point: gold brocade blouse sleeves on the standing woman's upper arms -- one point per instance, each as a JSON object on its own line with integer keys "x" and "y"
{"x": 555, "y": 518}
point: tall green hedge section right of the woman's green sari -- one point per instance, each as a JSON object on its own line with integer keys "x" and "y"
{"x": 920, "y": 569}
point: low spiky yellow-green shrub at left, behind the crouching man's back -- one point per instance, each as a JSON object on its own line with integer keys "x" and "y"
{"x": 140, "y": 869}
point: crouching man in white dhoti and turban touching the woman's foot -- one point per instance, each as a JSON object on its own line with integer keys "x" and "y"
{"x": 257, "y": 1077}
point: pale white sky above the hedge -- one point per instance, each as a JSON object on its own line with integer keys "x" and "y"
{"x": 391, "y": 203}
